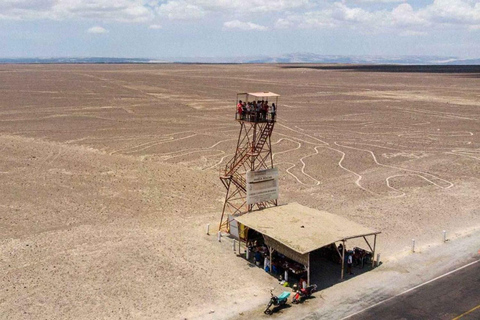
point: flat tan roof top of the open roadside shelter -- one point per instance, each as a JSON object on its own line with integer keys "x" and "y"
{"x": 303, "y": 229}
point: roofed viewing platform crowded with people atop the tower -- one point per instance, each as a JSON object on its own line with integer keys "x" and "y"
{"x": 256, "y": 107}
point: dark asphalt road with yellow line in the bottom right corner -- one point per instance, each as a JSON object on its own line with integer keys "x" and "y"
{"x": 455, "y": 296}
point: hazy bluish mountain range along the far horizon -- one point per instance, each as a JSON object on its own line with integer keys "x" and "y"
{"x": 286, "y": 58}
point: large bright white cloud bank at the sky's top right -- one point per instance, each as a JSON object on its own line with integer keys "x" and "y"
{"x": 402, "y": 19}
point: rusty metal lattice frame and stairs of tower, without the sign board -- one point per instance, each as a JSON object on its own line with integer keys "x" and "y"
{"x": 253, "y": 153}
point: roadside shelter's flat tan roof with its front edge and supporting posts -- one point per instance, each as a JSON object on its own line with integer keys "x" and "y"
{"x": 296, "y": 231}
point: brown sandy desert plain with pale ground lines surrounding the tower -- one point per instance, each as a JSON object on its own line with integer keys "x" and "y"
{"x": 110, "y": 173}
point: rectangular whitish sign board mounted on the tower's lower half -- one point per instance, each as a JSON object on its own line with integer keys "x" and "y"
{"x": 262, "y": 185}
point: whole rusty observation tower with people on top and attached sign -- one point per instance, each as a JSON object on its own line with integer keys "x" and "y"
{"x": 249, "y": 177}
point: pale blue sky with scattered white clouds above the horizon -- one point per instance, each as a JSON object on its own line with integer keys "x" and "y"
{"x": 236, "y": 28}
